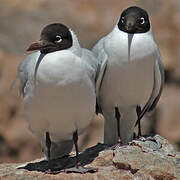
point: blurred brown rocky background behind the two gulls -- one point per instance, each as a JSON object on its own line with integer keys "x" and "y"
{"x": 21, "y": 22}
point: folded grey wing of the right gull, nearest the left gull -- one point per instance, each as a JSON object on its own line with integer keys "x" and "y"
{"x": 102, "y": 57}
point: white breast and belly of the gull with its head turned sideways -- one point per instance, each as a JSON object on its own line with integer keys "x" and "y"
{"x": 64, "y": 100}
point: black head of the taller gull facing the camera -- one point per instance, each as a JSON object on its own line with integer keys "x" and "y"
{"x": 134, "y": 20}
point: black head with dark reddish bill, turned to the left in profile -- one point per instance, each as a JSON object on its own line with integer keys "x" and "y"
{"x": 54, "y": 37}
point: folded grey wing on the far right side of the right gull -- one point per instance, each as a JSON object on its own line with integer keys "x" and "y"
{"x": 157, "y": 89}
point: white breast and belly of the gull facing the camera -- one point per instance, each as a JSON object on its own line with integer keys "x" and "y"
{"x": 129, "y": 74}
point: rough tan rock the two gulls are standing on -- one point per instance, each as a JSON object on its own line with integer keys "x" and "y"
{"x": 140, "y": 160}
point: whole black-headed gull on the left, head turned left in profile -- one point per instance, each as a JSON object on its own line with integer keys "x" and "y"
{"x": 58, "y": 85}
